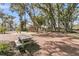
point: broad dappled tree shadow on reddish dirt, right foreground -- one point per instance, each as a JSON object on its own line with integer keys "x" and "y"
{"x": 60, "y": 47}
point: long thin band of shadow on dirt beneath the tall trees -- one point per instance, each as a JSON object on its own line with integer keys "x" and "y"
{"x": 58, "y": 34}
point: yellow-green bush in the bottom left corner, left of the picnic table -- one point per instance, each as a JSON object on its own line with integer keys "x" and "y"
{"x": 6, "y": 49}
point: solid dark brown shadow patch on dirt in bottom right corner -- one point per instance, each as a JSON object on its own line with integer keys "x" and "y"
{"x": 70, "y": 50}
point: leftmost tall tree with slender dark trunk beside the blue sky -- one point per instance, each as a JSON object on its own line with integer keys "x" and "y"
{"x": 20, "y": 8}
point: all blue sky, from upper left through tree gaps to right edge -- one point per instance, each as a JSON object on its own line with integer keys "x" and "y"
{"x": 5, "y": 8}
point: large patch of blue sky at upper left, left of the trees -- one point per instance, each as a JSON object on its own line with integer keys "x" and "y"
{"x": 5, "y": 8}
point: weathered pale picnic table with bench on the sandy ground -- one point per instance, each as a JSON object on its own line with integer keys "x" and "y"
{"x": 22, "y": 40}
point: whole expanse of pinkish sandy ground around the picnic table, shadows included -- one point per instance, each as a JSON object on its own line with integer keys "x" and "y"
{"x": 50, "y": 43}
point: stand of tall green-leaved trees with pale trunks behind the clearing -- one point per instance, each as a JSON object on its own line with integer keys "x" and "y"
{"x": 59, "y": 15}
